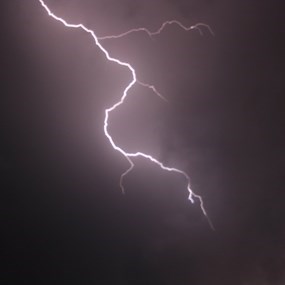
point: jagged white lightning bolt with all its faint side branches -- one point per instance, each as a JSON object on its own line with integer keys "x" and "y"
{"x": 134, "y": 80}
